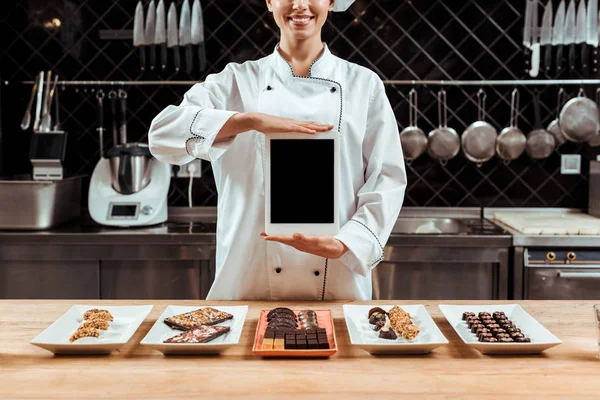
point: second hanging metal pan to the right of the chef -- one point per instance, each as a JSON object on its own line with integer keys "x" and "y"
{"x": 443, "y": 142}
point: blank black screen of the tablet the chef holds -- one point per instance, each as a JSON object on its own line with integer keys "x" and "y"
{"x": 302, "y": 181}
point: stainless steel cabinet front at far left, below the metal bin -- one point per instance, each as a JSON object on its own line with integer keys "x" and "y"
{"x": 49, "y": 280}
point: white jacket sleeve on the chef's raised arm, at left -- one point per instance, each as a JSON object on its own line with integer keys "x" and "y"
{"x": 179, "y": 134}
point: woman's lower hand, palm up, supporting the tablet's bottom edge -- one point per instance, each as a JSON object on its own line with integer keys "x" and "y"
{"x": 322, "y": 246}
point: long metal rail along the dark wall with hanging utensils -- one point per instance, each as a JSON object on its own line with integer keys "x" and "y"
{"x": 539, "y": 82}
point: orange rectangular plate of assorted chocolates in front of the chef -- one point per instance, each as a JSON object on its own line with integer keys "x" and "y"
{"x": 324, "y": 319}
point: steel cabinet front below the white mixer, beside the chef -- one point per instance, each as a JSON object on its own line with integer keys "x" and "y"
{"x": 155, "y": 279}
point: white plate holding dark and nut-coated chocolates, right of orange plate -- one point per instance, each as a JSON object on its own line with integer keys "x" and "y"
{"x": 362, "y": 334}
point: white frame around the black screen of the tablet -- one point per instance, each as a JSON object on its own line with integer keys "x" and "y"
{"x": 289, "y": 229}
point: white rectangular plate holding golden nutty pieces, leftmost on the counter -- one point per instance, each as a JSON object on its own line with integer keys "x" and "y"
{"x": 127, "y": 319}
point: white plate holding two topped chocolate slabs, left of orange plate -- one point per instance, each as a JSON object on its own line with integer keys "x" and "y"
{"x": 161, "y": 331}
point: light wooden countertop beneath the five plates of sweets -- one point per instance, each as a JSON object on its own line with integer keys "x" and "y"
{"x": 570, "y": 370}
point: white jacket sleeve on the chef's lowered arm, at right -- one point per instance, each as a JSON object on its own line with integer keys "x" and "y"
{"x": 380, "y": 198}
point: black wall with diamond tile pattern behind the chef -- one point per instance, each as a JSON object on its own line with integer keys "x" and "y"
{"x": 400, "y": 40}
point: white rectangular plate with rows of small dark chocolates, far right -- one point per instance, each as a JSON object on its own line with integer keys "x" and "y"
{"x": 541, "y": 338}
